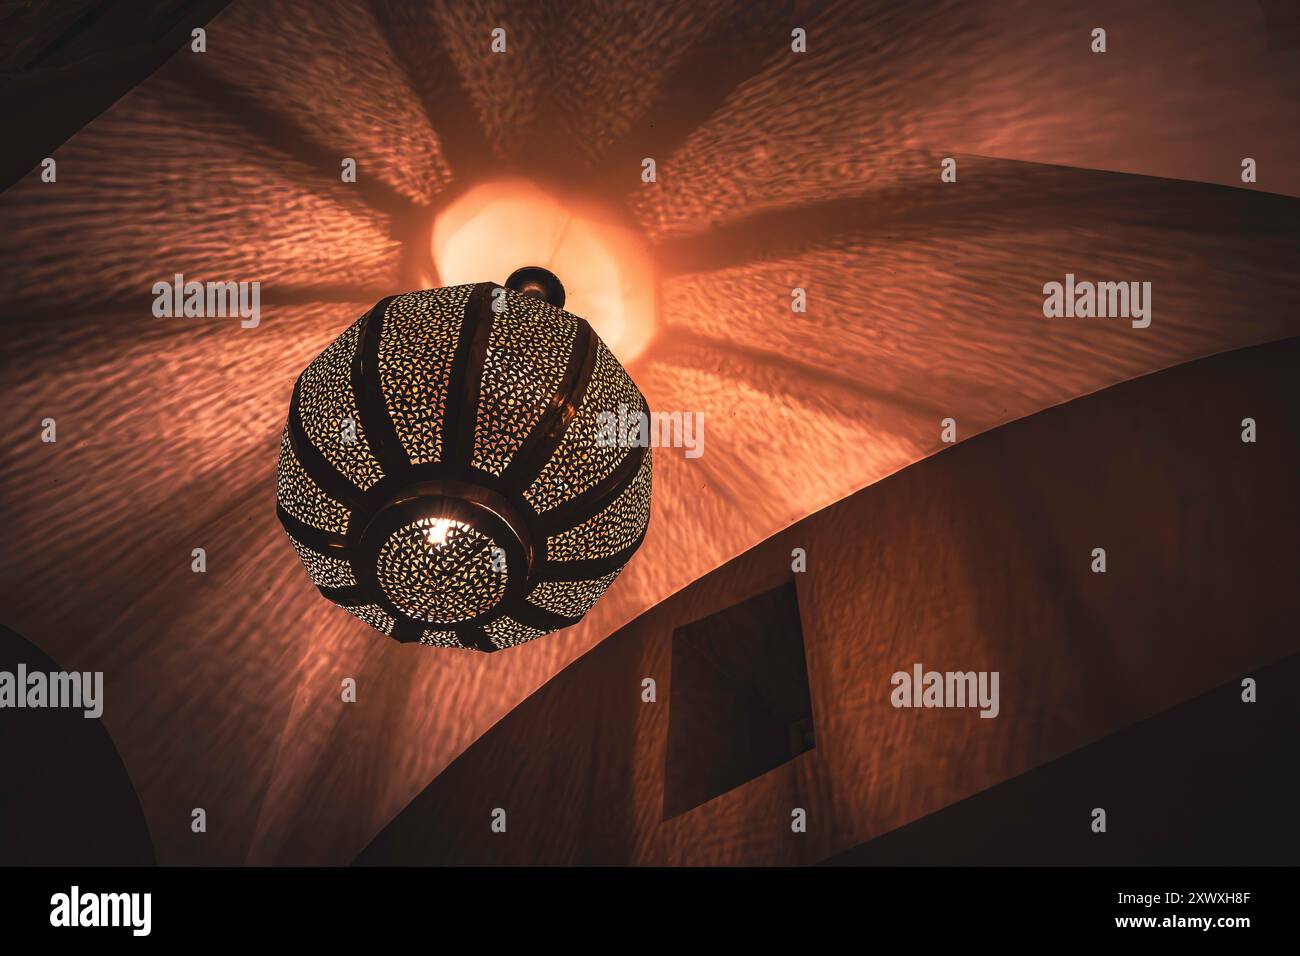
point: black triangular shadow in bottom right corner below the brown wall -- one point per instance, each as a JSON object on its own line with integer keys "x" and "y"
{"x": 1212, "y": 782}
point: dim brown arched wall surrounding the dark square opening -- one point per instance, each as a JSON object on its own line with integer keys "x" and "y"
{"x": 980, "y": 556}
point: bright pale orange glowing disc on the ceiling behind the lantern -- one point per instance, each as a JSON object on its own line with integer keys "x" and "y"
{"x": 500, "y": 227}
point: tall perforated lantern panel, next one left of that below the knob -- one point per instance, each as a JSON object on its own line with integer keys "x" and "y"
{"x": 418, "y": 345}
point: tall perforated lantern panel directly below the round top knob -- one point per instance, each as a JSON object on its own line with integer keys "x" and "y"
{"x": 528, "y": 351}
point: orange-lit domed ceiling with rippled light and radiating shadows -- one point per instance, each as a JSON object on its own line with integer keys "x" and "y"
{"x": 777, "y": 170}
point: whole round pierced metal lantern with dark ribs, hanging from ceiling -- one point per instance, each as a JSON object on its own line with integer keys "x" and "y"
{"x": 444, "y": 474}
